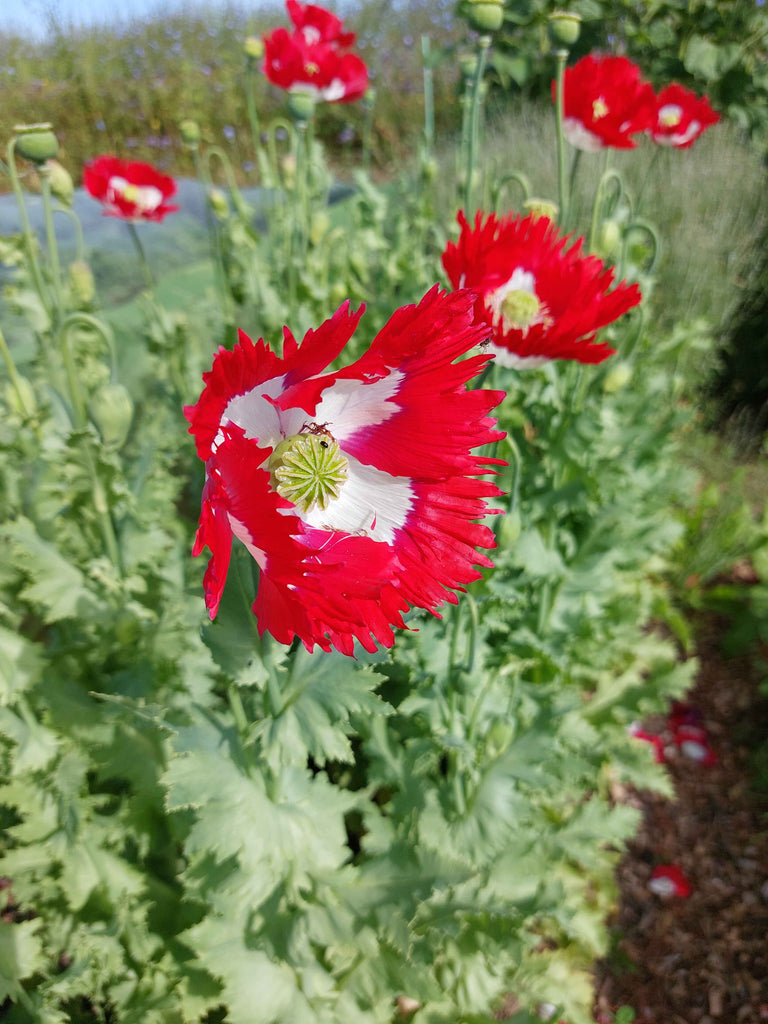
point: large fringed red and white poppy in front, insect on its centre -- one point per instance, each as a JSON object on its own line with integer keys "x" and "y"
{"x": 356, "y": 491}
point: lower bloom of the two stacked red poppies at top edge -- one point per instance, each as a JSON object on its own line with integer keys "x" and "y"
{"x": 321, "y": 70}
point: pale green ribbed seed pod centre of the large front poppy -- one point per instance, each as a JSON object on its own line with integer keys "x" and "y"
{"x": 309, "y": 471}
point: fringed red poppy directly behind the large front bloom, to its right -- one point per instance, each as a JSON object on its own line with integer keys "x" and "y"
{"x": 543, "y": 298}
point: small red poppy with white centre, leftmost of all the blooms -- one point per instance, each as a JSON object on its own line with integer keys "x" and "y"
{"x": 132, "y": 191}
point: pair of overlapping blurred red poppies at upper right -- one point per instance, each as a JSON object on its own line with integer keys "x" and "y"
{"x": 607, "y": 104}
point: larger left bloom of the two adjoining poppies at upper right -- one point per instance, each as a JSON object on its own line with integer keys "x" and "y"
{"x": 606, "y": 103}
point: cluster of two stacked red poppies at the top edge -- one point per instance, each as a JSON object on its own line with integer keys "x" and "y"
{"x": 314, "y": 59}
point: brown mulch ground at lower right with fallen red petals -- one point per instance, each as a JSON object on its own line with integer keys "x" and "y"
{"x": 701, "y": 960}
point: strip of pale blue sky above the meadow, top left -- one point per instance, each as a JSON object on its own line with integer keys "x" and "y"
{"x": 31, "y": 18}
